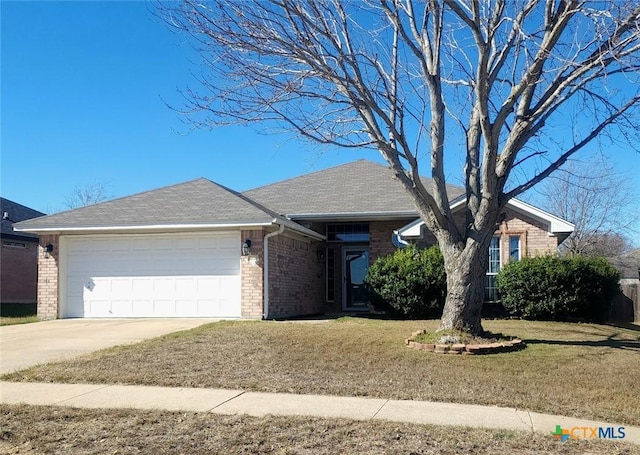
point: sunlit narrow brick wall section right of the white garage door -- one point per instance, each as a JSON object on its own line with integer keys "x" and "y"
{"x": 251, "y": 275}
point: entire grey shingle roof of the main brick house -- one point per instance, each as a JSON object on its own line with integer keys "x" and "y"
{"x": 361, "y": 187}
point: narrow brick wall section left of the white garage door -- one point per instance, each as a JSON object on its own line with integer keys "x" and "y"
{"x": 48, "y": 277}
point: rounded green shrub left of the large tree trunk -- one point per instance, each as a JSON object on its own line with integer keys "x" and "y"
{"x": 411, "y": 283}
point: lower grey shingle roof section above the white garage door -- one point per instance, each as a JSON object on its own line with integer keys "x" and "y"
{"x": 198, "y": 203}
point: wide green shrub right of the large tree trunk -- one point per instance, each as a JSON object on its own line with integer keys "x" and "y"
{"x": 558, "y": 289}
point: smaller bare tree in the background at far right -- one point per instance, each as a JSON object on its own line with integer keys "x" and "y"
{"x": 598, "y": 201}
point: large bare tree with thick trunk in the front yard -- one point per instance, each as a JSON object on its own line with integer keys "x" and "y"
{"x": 493, "y": 84}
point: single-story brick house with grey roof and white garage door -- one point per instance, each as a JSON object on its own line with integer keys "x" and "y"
{"x": 296, "y": 247}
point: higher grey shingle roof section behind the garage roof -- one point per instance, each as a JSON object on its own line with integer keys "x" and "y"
{"x": 358, "y": 187}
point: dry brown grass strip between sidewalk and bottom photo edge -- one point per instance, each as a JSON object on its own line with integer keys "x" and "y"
{"x": 42, "y": 430}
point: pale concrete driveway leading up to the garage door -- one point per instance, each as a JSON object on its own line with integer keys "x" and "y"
{"x": 25, "y": 345}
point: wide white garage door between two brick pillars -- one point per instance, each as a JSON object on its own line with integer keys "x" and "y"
{"x": 176, "y": 275}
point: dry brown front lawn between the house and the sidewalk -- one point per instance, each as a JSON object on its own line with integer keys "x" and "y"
{"x": 581, "y": 370}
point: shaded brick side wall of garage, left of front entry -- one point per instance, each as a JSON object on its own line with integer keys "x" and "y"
{"x": 296, "y": 277}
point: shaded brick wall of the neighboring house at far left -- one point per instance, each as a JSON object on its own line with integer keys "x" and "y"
{"x": 19, "y": 271}
